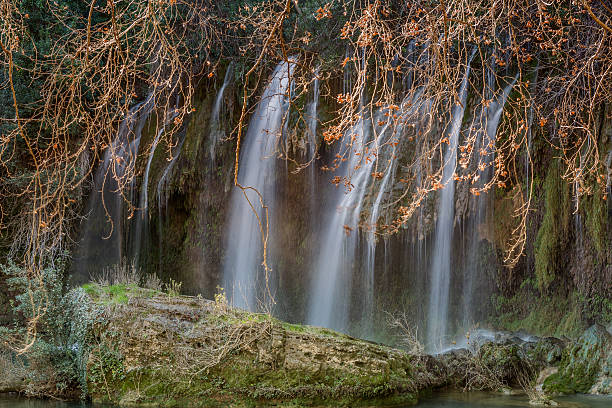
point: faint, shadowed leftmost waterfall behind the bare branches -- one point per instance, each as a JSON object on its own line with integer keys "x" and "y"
{"x": 102, "y": 231}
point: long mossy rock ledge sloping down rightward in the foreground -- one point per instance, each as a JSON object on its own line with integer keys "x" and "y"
{"x": 152, "y": 349}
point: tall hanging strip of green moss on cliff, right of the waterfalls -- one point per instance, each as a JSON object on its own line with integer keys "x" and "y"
{"x": 553, "y": 232}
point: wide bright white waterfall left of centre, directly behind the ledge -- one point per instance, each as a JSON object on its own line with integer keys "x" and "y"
{"x": 243, "y": 258}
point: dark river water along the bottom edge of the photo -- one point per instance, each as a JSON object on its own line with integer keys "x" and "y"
{"x": 446, "y": 400}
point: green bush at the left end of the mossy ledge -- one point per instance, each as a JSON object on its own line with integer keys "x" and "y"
{"x": 56, "y": 360}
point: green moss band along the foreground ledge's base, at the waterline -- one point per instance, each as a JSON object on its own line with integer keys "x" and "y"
{"x": 239, "y": 381}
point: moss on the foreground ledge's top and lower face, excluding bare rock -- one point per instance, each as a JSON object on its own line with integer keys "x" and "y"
{"x": 240, "y": 378}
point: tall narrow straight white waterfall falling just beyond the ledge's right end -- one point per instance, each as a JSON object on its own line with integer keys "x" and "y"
{"x": 441, "y": 264}
